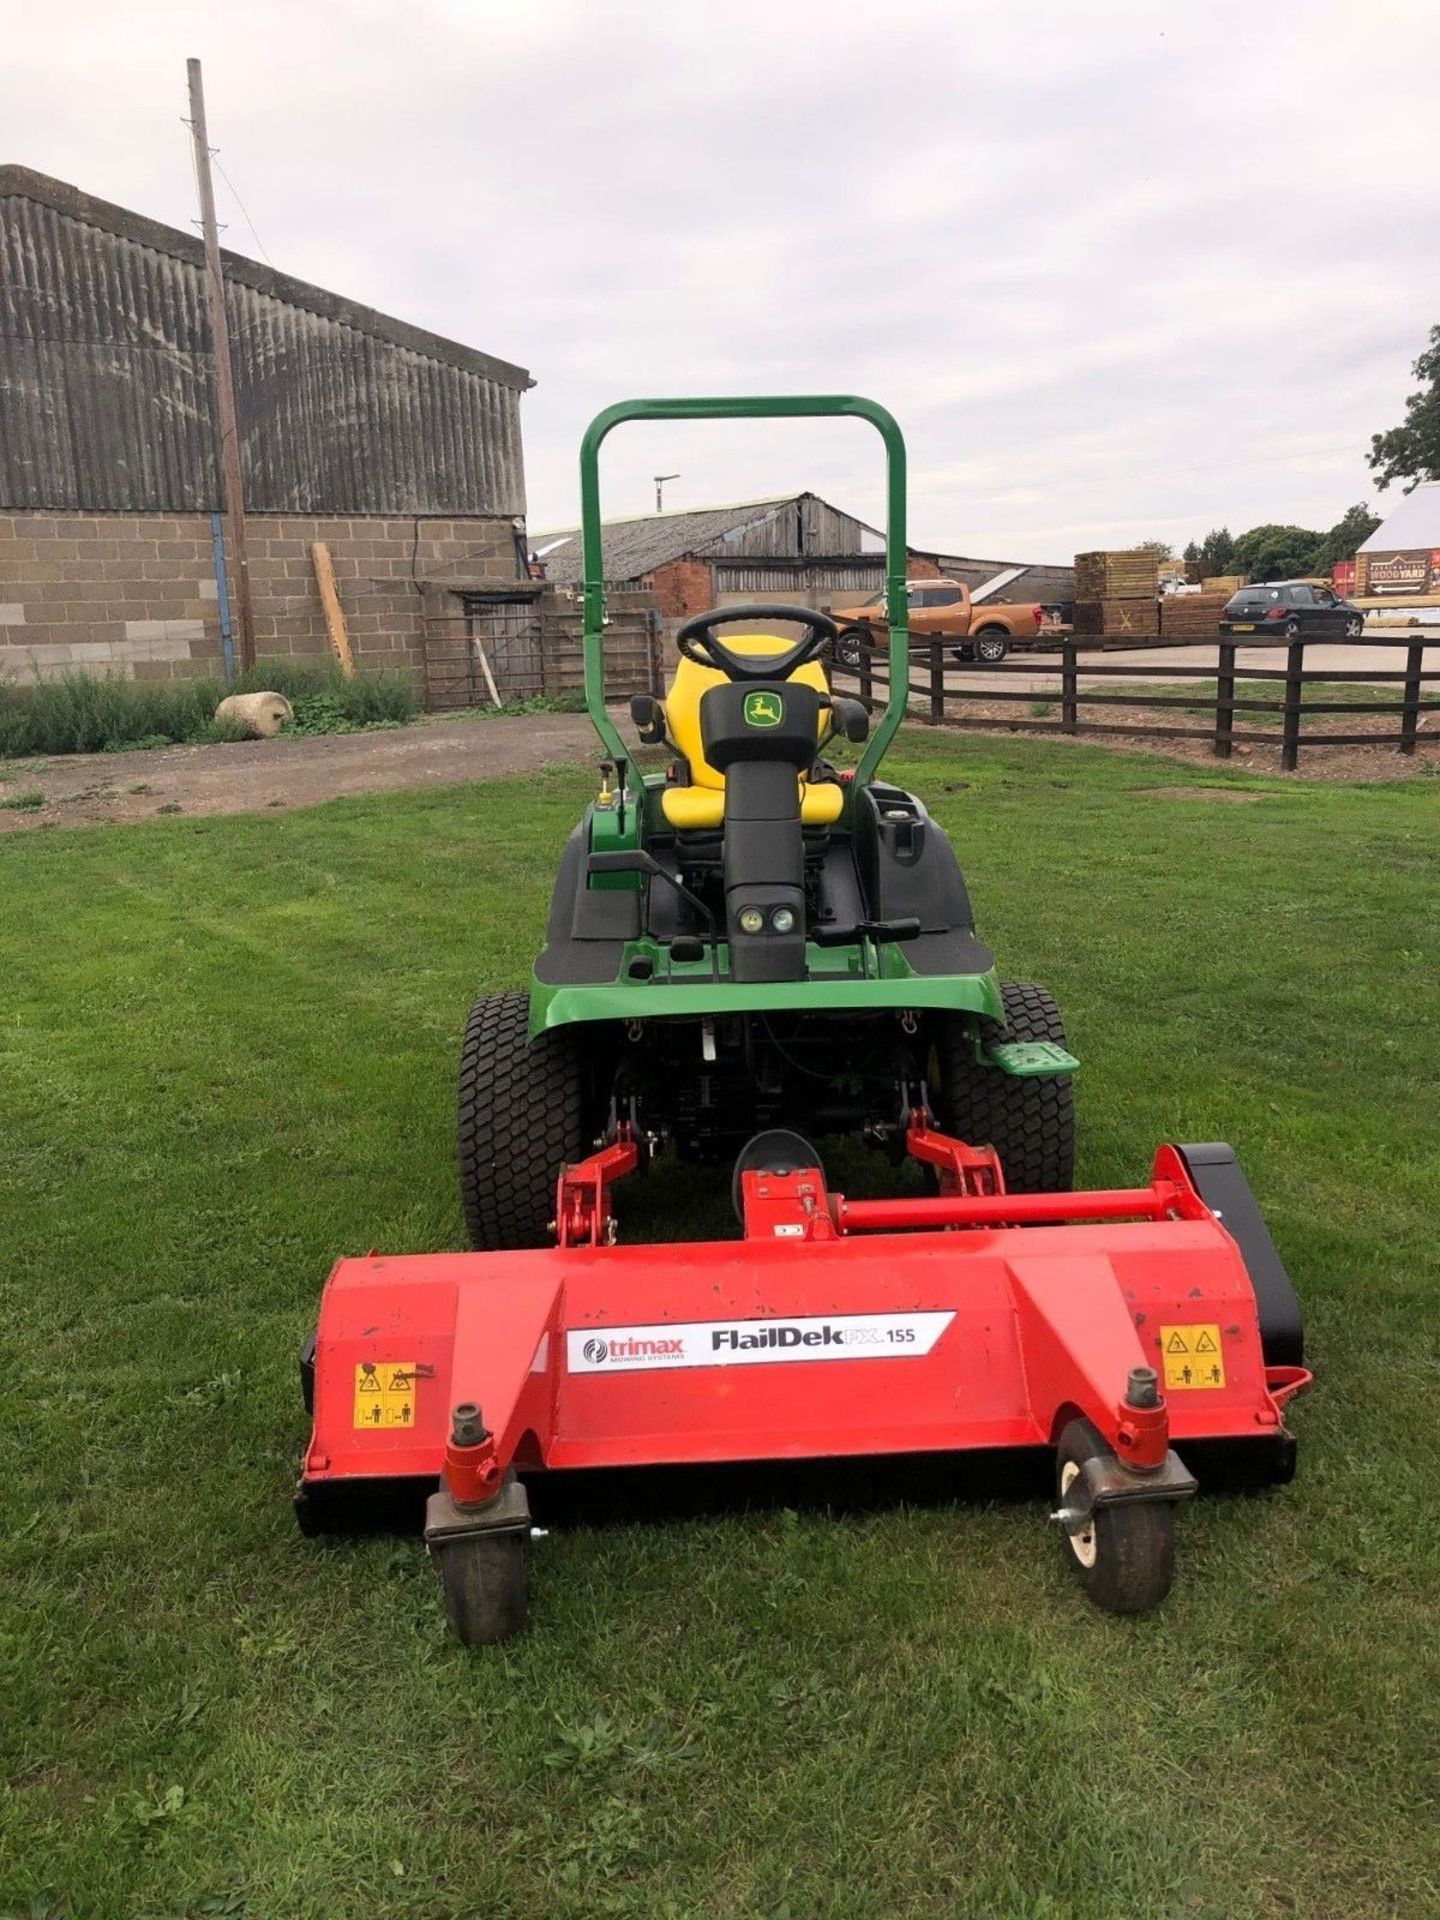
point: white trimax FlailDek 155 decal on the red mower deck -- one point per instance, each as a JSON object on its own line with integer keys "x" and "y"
{"x": 754, "y": 1343}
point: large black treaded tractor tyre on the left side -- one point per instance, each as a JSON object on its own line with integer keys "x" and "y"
{"x": 521, "y": 1120}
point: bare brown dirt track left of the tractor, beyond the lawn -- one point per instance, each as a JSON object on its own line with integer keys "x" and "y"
{"x": 285, "y": 773}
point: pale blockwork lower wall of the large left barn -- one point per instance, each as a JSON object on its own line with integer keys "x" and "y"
{"x": 135, "y": 594}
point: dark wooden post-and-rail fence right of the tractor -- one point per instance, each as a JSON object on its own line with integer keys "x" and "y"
{"x": 942, "y": 688}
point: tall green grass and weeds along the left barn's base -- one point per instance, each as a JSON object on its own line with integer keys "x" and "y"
{"x": 91, "y": 713}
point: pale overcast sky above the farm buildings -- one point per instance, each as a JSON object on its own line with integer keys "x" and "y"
{"x": 1120, "y": 270}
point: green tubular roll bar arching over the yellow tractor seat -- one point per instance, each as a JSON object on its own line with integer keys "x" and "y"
{"x": 727, "y": 408}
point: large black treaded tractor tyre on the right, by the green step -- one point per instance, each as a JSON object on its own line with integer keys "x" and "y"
{"x": 1028, "y": 1122}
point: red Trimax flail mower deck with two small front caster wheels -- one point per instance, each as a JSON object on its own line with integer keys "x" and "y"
{"x": 1109, "y": 1326}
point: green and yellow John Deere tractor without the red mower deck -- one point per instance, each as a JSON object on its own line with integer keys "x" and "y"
{"x": 865, "y": 990}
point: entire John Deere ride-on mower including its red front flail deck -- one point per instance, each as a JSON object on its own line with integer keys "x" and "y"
{"x": 746, "y": 953}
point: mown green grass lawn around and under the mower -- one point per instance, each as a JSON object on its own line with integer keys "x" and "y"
{"x": 226, "y": 1057}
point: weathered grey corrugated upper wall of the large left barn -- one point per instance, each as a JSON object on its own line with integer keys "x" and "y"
{"x": 107, "y": 381}
